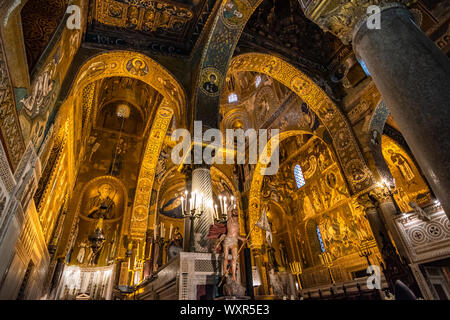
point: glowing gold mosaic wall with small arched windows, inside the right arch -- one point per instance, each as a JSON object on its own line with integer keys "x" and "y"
{"x": 323, "y": 201}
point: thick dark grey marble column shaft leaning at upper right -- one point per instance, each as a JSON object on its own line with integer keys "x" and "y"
{"x": 413, "y": 76}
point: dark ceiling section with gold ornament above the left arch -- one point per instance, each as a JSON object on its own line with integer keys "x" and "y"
{"x": 168, "y": 27}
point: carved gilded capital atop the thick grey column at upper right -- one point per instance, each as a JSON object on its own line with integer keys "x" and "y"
{"x": 342, "y": 17}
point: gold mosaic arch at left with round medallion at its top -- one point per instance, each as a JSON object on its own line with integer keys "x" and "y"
{"x": 137, "y": 66}
